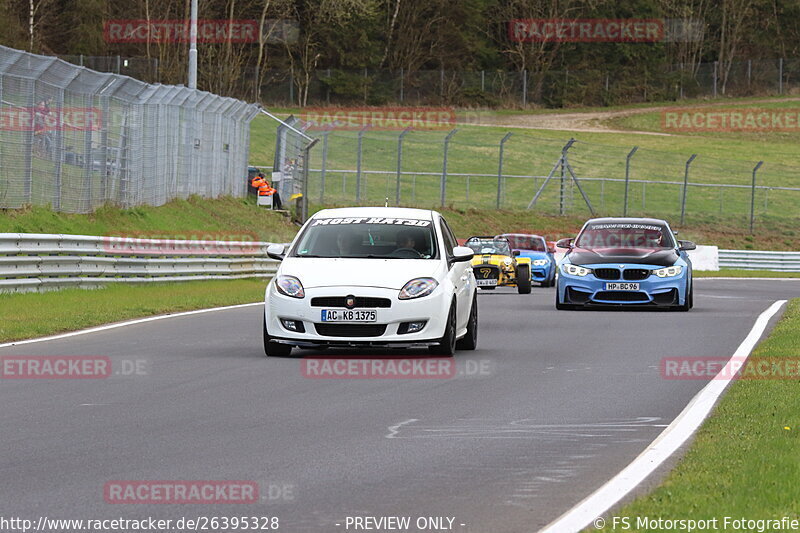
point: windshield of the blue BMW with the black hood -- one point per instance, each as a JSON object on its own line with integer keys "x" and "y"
{"x": 625, "y": 235}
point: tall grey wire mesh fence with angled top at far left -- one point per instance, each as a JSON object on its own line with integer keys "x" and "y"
{"x": 75, "y": 139}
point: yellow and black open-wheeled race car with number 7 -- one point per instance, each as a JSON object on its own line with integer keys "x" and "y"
{"x": 496, "y": 265}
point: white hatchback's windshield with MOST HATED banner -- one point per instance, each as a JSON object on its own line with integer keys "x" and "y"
{"x": 367, "y": 237}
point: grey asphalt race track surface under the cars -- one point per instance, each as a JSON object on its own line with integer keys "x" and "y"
{"x": 551, "y": 405}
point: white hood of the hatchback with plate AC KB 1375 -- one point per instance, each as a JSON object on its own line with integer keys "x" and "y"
{"x": 385, "y": 273}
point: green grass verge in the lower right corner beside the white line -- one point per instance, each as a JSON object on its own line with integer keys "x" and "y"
{"x": 743, "y": 461}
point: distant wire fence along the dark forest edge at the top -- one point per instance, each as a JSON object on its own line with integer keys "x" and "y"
{"x": 551, "y": 88}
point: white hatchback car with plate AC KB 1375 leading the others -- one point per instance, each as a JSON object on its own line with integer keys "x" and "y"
{"x": 381, "y": 277}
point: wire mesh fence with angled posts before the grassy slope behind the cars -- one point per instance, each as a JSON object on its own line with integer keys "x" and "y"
{"x": 461, "y": 169}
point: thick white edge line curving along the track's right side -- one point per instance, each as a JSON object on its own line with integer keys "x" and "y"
{"x": 672, "y": 438}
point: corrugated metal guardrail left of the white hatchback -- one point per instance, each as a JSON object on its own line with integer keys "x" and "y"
{"x": 32, "y": 262}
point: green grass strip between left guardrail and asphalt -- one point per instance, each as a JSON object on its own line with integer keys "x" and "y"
{"x": 29, "y": 315}
